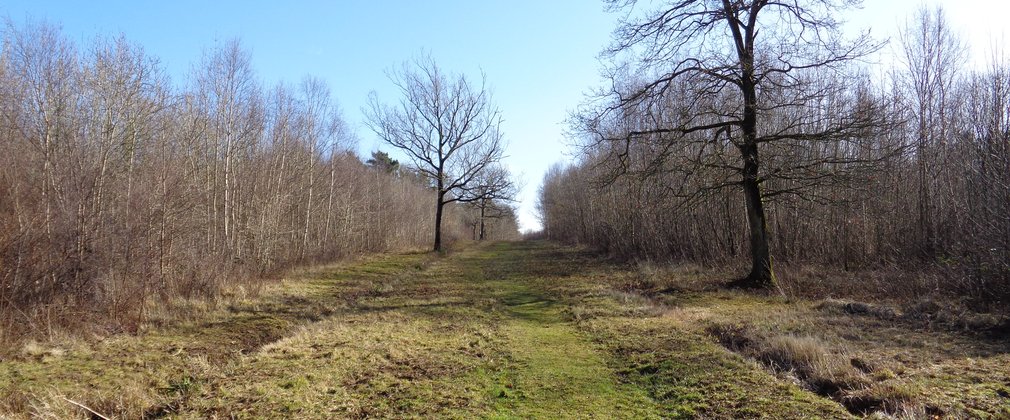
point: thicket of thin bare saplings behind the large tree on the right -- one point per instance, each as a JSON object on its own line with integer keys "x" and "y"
{"x": 930, "y": 216}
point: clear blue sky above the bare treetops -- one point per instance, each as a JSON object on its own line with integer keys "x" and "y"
{"x": 540, "y": 57}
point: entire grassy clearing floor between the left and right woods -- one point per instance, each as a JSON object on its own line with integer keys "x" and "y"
{"x": 511, "y": 331}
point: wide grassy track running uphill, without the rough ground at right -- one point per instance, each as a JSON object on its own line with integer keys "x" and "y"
{"x": 508, "y": 331}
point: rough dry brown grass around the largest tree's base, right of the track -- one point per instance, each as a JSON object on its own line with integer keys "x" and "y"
{"x": 884, "y": 344}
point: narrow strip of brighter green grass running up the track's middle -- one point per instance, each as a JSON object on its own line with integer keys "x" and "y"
{"x": 557, "y": 372}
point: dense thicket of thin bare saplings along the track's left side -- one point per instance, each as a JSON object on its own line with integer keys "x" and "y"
{"x": 122, "y": 191}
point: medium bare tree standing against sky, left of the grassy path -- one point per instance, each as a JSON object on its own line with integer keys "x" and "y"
{"x": 448, "y": 127}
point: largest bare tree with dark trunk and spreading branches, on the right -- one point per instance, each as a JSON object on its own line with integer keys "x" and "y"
{"x": 710, "y": 77}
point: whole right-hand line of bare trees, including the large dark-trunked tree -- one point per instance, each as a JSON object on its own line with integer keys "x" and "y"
{"x": 854, "y": 171}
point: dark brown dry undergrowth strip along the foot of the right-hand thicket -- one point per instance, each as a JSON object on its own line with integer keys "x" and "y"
{"x": 922, "y": 298}
